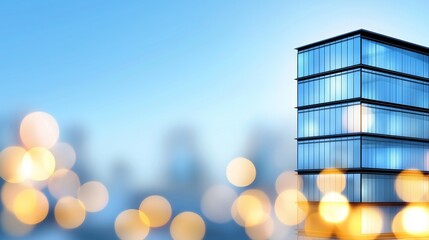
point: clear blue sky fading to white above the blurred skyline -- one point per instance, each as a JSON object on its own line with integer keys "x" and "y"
{"x": 130, "y": 71}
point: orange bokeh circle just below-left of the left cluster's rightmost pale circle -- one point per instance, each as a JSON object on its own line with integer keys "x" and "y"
{"x": 69, "y": 212}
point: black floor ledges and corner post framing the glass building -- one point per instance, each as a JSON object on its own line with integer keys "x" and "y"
{"x": 379, "y": 38}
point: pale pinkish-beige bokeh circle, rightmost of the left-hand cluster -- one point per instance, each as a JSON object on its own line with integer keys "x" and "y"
{"x": 94, "y": 196}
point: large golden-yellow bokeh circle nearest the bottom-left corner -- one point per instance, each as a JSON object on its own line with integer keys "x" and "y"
{"x": 30, "y": 206}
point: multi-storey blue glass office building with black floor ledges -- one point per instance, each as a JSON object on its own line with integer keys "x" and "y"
{"x": 363, "y": 108}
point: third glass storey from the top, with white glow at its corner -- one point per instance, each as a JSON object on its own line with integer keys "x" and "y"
{"x": 345, "y": 118}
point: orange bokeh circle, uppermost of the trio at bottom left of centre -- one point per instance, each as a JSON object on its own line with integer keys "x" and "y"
{"x": 157, "y": 209}
